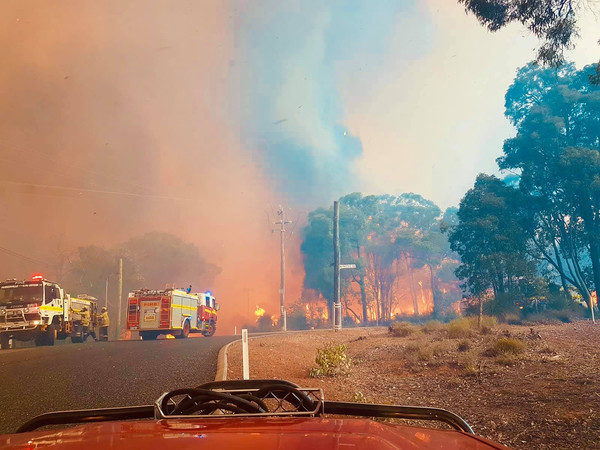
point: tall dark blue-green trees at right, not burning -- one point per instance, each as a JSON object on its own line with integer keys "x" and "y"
{"x": 544, "y": 218}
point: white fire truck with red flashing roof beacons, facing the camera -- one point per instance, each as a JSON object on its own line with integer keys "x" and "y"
{"x": 39, "y": 309}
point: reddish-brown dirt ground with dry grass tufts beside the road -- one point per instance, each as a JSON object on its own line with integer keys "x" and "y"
{"x": 546, "y": 397}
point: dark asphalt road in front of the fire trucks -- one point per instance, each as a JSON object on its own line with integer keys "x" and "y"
{"x": 100, "y": 374}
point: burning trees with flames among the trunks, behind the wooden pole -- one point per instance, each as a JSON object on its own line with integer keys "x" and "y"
{"x": 387, "y": 237}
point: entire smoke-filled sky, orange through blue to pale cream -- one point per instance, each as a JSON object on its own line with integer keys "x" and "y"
{"x": 208, "y": 114}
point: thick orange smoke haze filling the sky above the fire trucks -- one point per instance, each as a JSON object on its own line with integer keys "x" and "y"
{"x": 134, "y": 97}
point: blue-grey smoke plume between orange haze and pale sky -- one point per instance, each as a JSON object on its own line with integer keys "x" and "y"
{"x": 292, "y": 57}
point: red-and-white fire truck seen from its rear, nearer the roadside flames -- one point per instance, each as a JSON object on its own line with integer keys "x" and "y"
{"x": 171, "y": 311}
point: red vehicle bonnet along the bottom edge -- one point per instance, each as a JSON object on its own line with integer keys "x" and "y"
{"x": 245, "y": 433}
